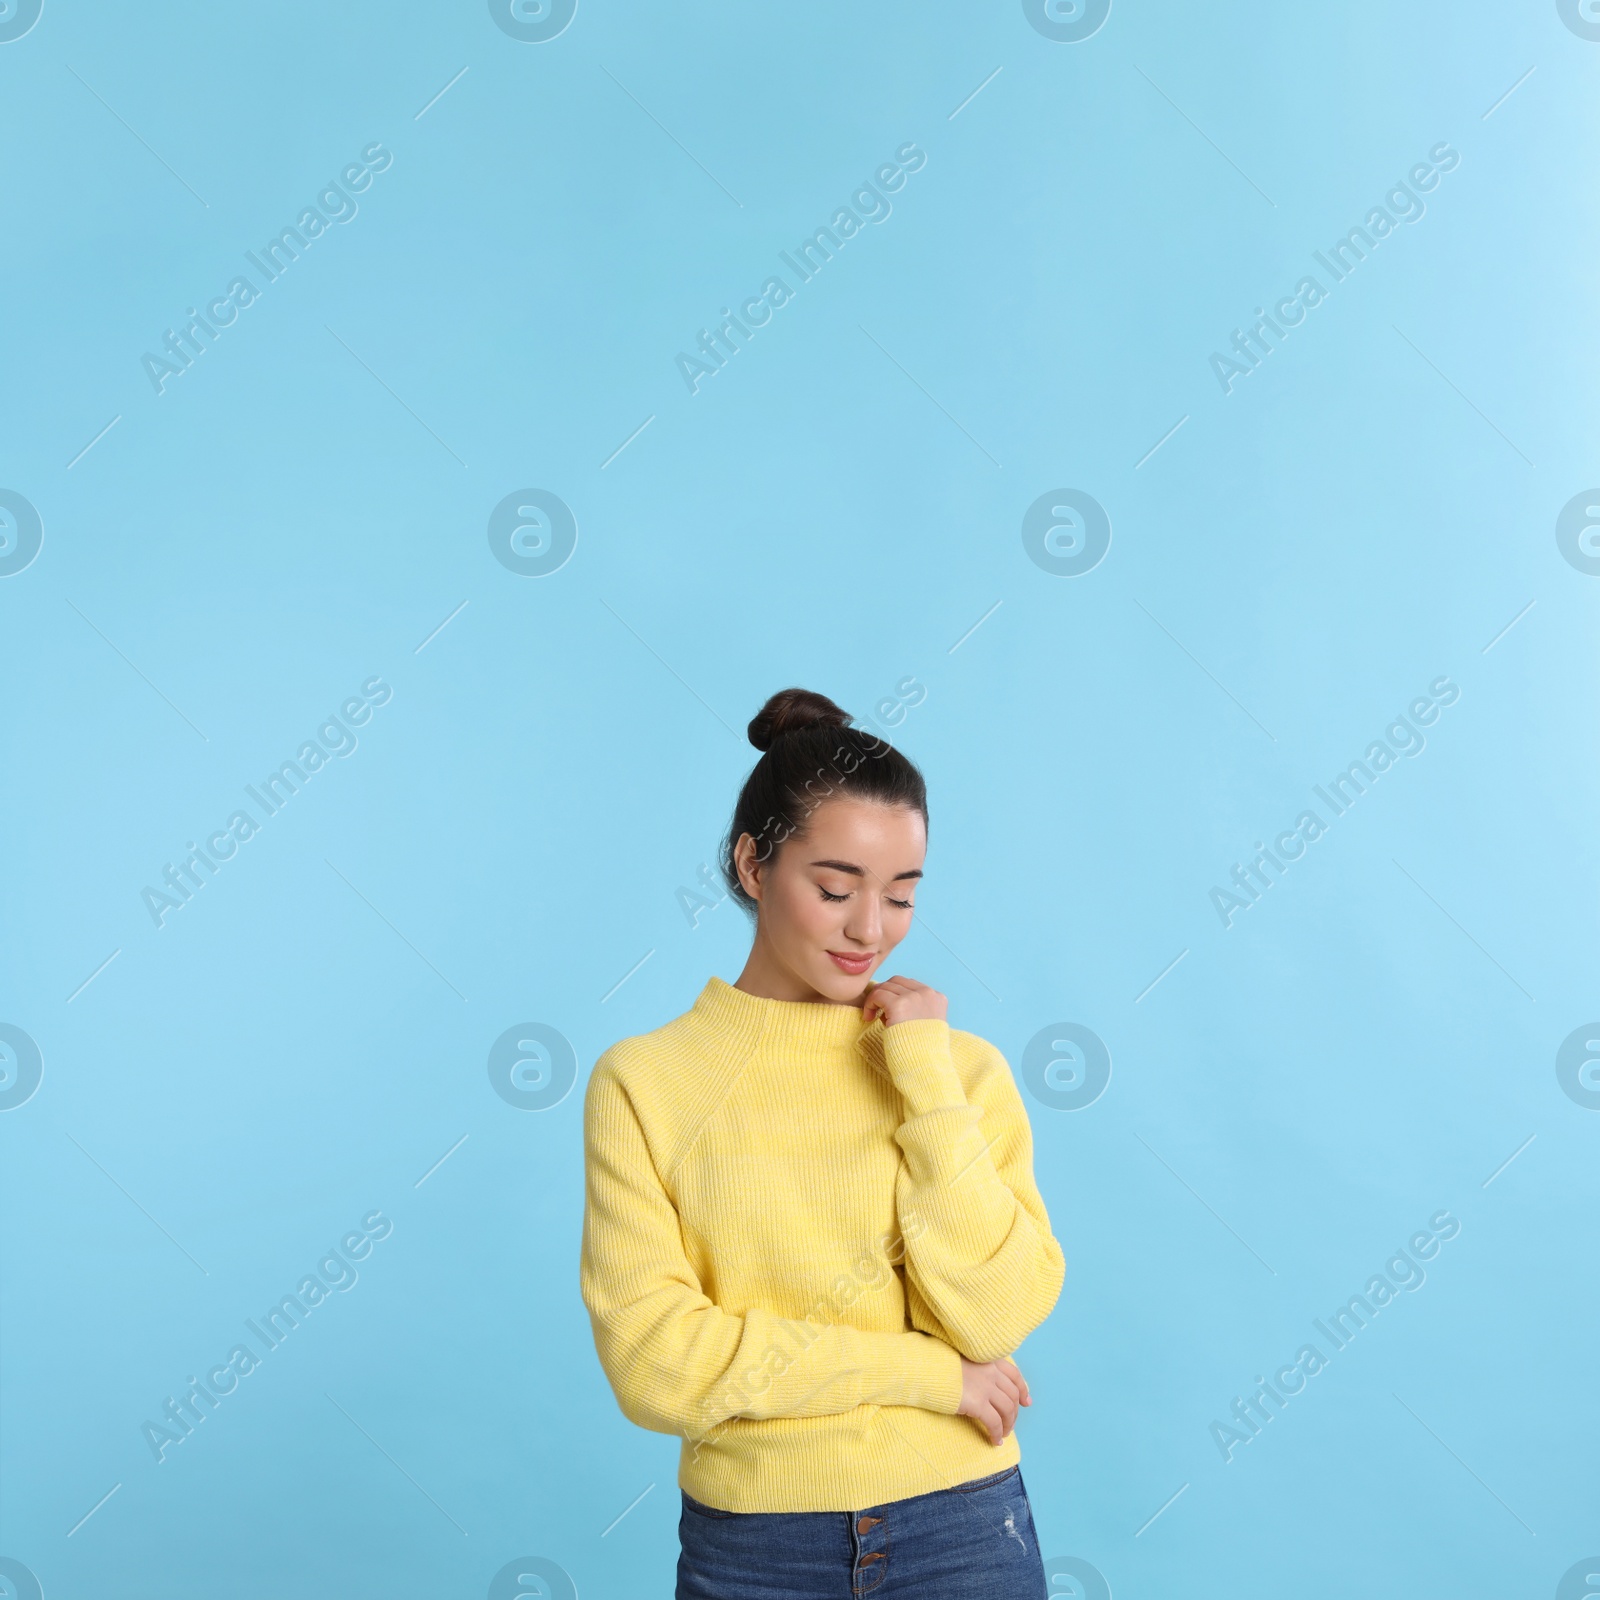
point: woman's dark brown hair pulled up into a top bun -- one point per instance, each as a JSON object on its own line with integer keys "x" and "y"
{"x": 810, "y": 751}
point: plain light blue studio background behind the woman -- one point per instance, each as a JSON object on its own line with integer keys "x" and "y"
{"x": 838, "y": 508}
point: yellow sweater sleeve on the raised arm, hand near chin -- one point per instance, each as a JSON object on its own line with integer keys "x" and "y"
{"x": 978, "y": 1242}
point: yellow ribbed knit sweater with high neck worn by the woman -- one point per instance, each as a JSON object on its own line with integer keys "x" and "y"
{"x": 793, "y": 1225}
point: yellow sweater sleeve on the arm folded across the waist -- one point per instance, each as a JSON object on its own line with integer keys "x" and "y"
{"x": 676, "y": 1361}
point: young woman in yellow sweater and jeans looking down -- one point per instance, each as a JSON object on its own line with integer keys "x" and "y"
{"x": 812, "y": 1234}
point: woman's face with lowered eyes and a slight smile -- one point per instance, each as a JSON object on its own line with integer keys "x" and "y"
{"x": 836, "y": 900}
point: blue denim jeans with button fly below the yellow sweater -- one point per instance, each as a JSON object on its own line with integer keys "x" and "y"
{"x": 969, "y": 1543}
